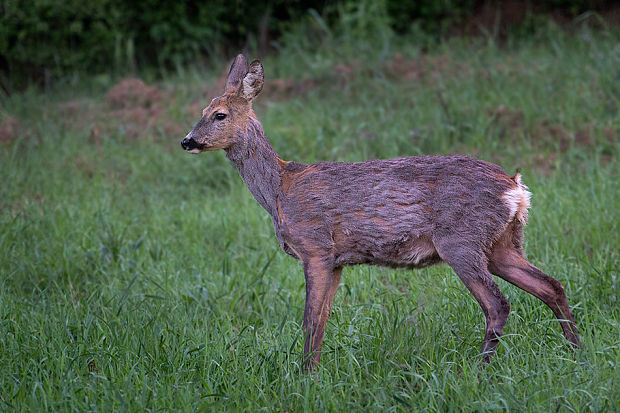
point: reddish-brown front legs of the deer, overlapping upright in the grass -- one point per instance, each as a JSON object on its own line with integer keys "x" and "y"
{"x": 320, "y": 277}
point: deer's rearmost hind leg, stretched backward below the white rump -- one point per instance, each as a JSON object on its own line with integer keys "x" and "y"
{"x": 508, "y": 264}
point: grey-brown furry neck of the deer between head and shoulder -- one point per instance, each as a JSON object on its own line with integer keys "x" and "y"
{"x": 258, "y": 165}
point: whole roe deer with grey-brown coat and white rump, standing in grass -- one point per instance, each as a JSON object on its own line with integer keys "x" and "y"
{"x": 406, "y": 212}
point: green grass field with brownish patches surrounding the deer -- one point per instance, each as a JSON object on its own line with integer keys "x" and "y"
{"x": 135, "y": 276}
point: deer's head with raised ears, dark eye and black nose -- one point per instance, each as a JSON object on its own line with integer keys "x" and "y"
{"x": 228, "y": 115}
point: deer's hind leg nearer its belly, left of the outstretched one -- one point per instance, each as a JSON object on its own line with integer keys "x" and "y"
{"x": 472, "y": 271}
